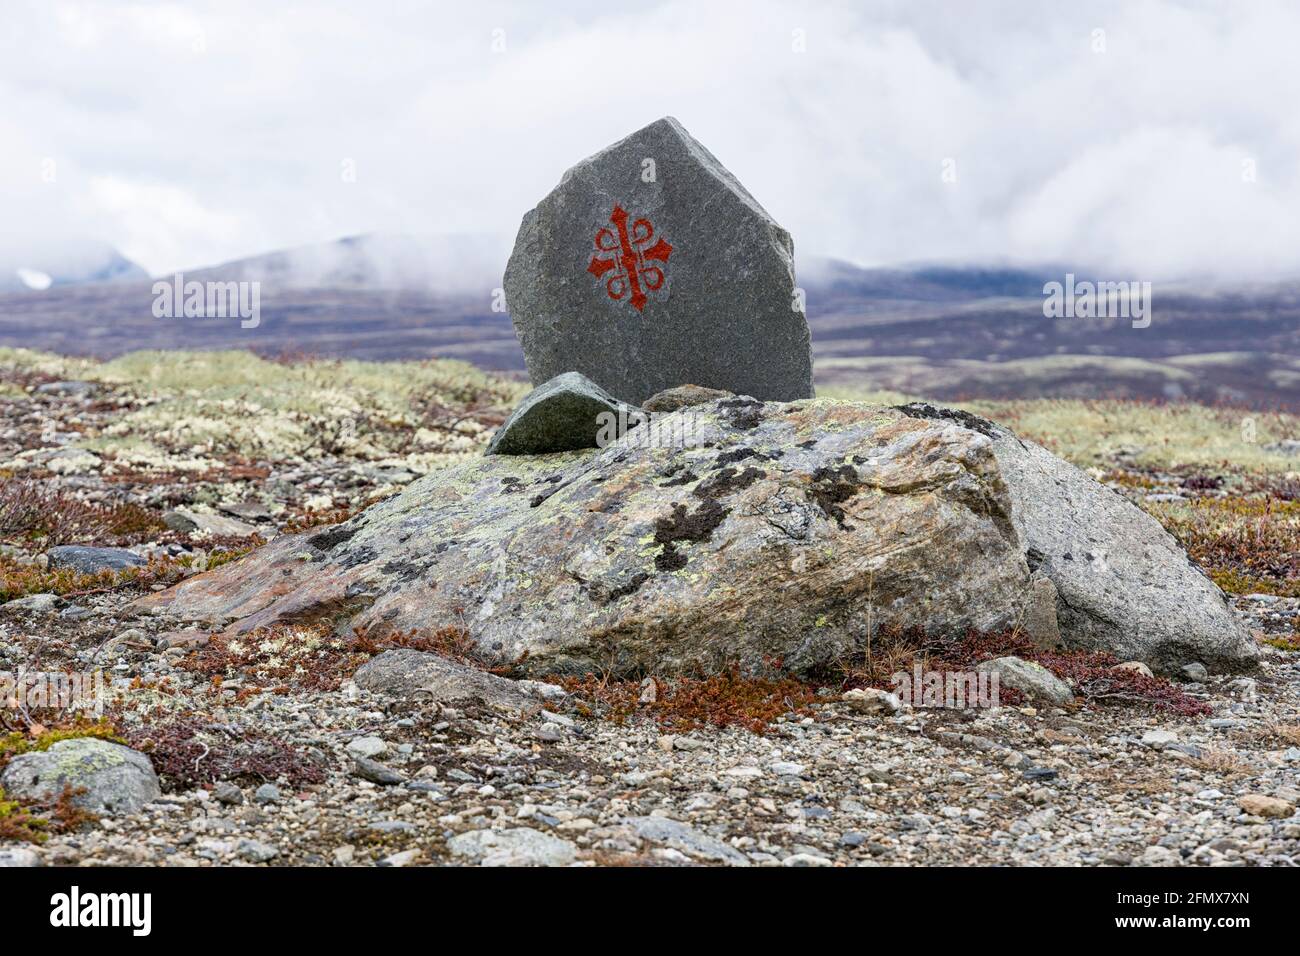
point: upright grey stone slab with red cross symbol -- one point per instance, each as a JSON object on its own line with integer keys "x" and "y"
{"x": 652, "y": 267}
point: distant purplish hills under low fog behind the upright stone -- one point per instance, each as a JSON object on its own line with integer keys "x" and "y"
{"x": 942, "y": 331}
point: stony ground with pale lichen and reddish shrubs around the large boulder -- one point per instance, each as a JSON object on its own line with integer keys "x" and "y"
{"x": 270, "y": 752}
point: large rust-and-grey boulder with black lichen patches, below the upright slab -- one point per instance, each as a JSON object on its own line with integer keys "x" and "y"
{"x": 779, "y": 539}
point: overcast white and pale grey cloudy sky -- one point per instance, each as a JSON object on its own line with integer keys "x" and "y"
{"x": 1162, "y": 140}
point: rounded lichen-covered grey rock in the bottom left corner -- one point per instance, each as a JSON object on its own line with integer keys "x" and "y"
{"x": 116, "y": 780}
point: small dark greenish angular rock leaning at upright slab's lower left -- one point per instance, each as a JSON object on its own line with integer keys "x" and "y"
{"x": 565, "y": 414}
